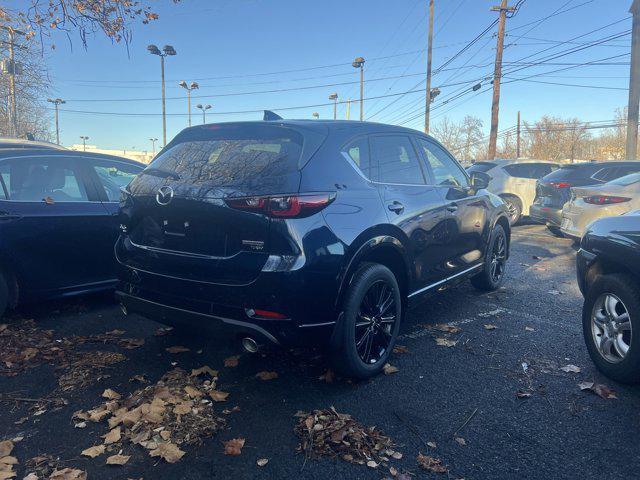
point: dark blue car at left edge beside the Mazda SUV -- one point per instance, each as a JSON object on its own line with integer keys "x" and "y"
{"x": 58, "y": 222}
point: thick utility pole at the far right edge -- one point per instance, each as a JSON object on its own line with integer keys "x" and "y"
{"x": 634, "y": 84}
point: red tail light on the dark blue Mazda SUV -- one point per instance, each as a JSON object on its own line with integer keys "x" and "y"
{"x": 283, "y": 206}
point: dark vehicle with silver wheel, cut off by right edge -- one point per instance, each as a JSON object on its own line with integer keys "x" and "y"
{"x": 608, "y": 265}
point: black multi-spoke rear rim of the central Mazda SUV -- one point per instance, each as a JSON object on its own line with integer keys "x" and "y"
{"x": 375, "y": 322}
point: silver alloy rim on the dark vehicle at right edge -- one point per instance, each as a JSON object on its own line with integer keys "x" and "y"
{"x": 611, "y": 328}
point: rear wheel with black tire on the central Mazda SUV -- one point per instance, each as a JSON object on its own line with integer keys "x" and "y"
{"x": 348, "y": 353}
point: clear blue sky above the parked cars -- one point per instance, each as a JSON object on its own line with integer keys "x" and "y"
{"x": 246, "y": 40}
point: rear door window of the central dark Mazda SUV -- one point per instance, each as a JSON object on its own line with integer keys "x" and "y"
{"x": 396, "y": 160}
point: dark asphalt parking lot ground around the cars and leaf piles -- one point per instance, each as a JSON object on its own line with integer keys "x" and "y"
{"x": 489, "y": 399}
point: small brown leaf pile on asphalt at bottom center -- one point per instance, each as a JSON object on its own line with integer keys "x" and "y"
{"x": 333, "y": 434}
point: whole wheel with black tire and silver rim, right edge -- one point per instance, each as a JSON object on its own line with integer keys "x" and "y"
{"x": 625, "y": 290}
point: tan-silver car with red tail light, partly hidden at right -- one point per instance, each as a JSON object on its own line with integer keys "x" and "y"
{"x": 590, "y": 203}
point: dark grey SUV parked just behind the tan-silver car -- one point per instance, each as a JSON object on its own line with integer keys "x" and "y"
{"x": 552, "y": 191}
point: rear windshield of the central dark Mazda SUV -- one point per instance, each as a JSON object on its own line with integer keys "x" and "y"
{"x": 230, "y": 156}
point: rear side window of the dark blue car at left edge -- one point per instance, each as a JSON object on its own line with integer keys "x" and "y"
{"x": 34, "y": 180}
